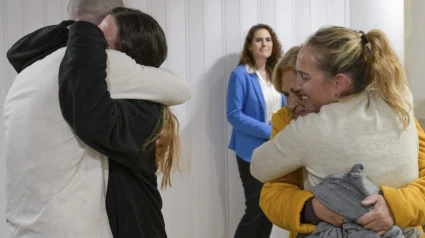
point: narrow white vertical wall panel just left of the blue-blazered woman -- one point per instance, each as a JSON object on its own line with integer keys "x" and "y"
{"x": 213, "y": 82}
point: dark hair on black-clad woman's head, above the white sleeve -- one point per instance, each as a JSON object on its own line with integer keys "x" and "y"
{"x": 140, "y": 36}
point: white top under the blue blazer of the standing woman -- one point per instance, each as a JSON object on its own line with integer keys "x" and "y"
{"x": 272, "y": 98}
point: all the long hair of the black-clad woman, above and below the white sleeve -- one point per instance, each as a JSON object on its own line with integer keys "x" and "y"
{"x": 141, "y": 37}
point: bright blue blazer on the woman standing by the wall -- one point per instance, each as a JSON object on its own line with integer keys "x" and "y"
{"x": 246, "y": 112}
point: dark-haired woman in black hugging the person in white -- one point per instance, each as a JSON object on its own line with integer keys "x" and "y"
{"x": 125, "y": 130}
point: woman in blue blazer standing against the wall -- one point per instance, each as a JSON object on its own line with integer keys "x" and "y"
{"x": 251, "y": 101}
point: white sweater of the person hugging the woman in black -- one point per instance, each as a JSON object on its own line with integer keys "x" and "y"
{"x": 55, "y": 183}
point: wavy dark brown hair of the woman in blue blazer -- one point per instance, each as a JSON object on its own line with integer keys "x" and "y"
{"x": 247, "y": 57}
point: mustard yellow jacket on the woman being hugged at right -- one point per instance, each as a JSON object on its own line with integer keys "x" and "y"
{"x": 283, "y": 199}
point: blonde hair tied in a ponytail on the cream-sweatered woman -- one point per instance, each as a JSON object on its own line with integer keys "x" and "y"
{"x": 368, "y": 59}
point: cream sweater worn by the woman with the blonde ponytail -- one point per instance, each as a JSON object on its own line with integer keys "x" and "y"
{"x": 361, "y": 129}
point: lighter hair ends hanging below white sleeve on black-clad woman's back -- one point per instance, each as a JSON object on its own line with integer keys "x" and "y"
{"x": 167, "y": 152}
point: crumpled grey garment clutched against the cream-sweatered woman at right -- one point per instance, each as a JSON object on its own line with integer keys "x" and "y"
{"x": 343, "y": 194}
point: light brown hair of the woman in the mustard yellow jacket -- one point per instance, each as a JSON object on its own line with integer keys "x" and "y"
{"x": 287, "y": 62}
